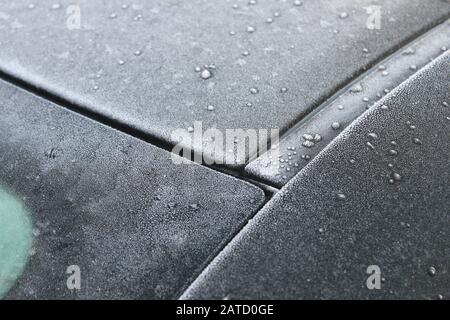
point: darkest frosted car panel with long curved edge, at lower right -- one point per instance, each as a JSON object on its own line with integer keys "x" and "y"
{"x": 377, "y": 195}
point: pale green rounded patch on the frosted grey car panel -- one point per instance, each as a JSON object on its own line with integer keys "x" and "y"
{"x": 15, "y": 239}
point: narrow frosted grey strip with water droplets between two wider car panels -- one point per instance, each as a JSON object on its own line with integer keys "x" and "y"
{"x": 336, "y": 114}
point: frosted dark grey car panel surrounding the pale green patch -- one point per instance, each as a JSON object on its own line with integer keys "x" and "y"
{"x": 136, "y": 224}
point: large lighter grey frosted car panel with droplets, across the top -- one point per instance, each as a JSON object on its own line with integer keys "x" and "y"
{"x": 136, "y": 64}
